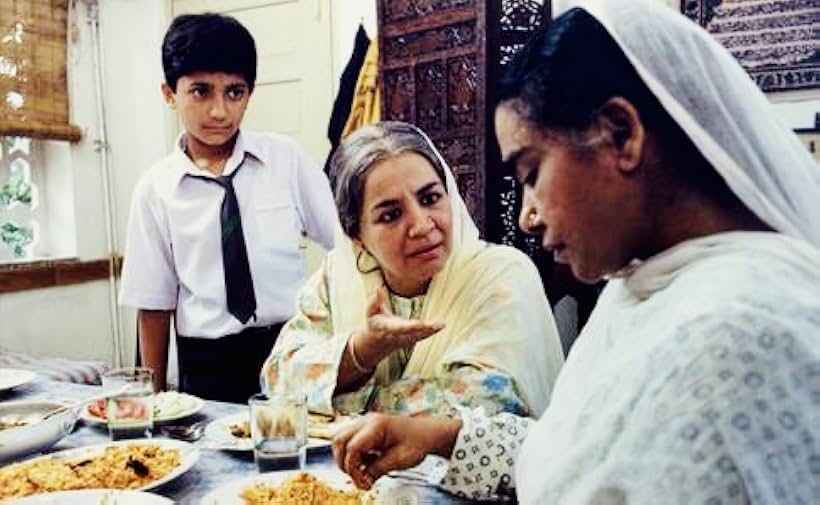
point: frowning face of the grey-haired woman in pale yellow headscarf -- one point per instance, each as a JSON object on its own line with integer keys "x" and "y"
{"x": 406, "y": 221}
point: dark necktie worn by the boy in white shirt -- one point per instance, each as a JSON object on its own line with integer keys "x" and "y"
{"x": 238, "y": 281}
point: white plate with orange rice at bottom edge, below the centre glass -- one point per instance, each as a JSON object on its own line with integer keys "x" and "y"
{"x": 296, "y": 487}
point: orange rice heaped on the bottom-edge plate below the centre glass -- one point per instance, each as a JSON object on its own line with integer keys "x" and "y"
{"x": 302, "y": 489}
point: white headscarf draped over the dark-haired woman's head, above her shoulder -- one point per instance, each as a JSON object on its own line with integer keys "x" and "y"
{"x": 710, "y": 96}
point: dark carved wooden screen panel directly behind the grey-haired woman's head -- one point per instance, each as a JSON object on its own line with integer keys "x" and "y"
{"x": 432, "y": 62}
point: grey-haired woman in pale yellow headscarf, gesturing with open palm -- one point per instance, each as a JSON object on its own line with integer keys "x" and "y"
{"x": 411, "y": 313}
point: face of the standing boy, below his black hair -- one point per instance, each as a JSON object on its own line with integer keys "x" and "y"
{"x": 210, "y": 104}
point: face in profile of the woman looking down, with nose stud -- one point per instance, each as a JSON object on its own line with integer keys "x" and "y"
{"x": 588, "y": 213}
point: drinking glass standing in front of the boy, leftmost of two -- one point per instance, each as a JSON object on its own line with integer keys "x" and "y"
{"x": 129, "y": 402}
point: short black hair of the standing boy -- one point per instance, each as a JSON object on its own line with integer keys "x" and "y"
{"x": 207, "y": 43}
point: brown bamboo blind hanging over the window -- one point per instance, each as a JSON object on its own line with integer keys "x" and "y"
{"x": 33, "y": 83}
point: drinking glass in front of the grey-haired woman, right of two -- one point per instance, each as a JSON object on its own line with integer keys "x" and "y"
{"x": 278, "y": 431}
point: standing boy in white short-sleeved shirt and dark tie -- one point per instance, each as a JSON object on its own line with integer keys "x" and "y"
{"x": 214, "y": 227}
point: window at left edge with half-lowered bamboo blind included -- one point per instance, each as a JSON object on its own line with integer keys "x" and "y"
{"x": 34, "y": 128}
